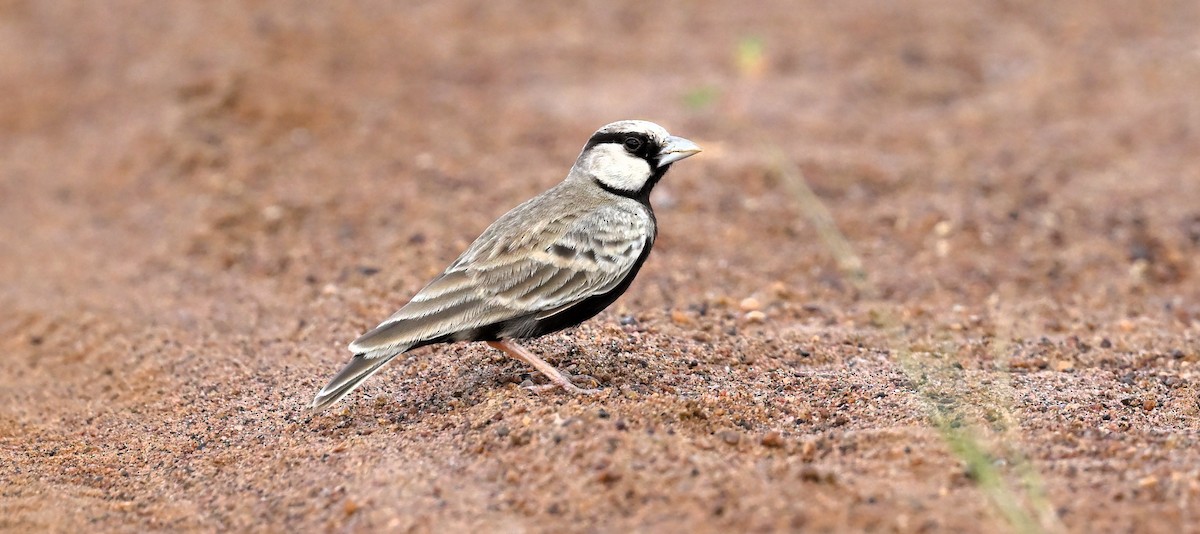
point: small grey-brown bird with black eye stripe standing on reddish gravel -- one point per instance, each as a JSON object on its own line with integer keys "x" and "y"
{"x": 549, "y": 265}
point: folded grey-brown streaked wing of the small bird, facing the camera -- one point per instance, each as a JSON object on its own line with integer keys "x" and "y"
{"x": 514, "y": 272}
